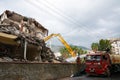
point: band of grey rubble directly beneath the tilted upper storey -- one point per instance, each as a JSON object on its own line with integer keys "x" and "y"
{"x": 32, "y": 39}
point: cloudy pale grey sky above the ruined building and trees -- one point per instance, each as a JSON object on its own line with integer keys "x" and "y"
{"x": 80, "y": 22}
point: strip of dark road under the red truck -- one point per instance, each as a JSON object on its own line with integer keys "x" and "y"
{"x": 115, "y": 76}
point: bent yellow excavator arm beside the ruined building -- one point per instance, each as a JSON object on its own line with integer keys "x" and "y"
{"x": 62, "y": 41}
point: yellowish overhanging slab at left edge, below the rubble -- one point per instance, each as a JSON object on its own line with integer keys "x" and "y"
{"x": 8, "y": 39}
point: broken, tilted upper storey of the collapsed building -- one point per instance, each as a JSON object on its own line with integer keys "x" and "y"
{"x": 24, "y": 24}
